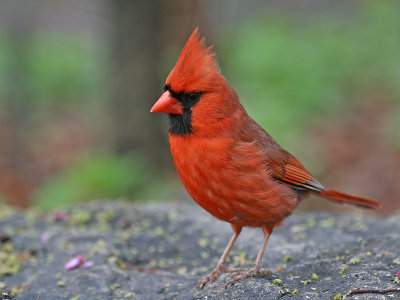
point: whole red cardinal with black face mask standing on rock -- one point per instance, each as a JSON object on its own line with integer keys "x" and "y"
{"x": 229, "y": 165}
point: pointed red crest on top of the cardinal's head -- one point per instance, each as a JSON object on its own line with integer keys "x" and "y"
{"x": 196, "y": 67}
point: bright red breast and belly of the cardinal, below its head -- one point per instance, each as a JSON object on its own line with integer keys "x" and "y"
{"x": 232, "y": 185}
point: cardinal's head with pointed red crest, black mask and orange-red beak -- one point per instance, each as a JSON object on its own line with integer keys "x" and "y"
{"x": 196, "y": 96}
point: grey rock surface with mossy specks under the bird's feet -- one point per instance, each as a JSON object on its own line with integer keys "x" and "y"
{"x": 159, "y": 251}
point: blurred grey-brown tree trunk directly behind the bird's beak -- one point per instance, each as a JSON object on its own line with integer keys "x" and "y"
{"x": 136, "y": 55}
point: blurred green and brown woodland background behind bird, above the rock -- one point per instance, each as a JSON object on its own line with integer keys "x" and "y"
{"x": 77, "y": 80}
